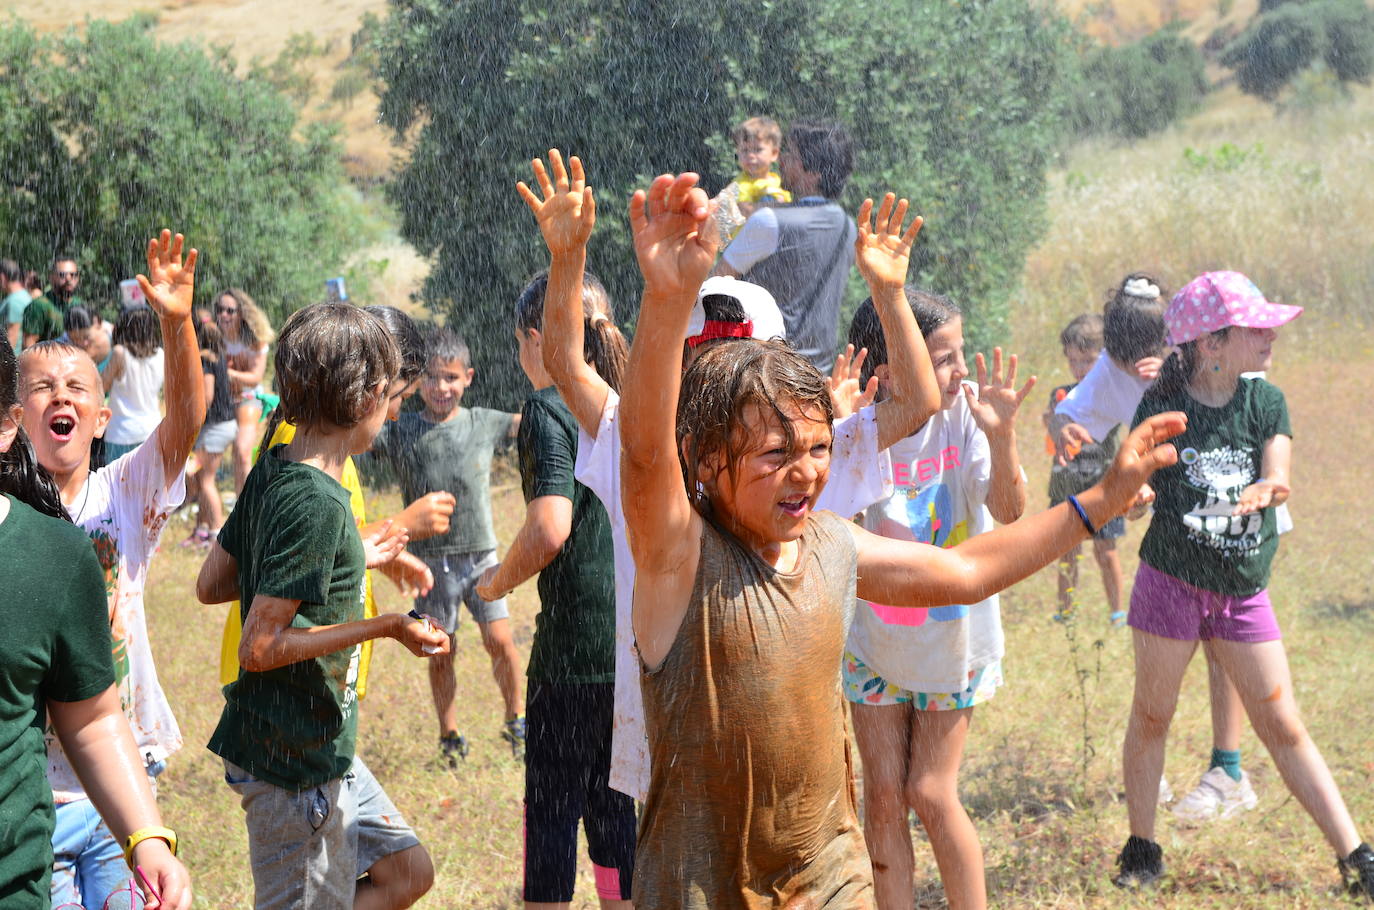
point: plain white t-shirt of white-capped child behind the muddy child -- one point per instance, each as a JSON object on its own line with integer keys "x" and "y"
{"x": 859, "y": 476}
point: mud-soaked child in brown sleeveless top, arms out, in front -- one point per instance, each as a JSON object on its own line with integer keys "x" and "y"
{"x": 744, "y": 595}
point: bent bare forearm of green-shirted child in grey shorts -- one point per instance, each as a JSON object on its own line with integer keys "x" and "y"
{"x": 270, "y": 641}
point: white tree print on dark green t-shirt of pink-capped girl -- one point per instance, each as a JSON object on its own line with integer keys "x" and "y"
{"x": 1222, "y": 474}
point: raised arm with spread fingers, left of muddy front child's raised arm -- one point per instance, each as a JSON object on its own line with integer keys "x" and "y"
{"x": 567, "y": 217}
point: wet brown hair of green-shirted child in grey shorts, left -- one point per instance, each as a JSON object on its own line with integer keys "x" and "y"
{"x": 330, "y": 359}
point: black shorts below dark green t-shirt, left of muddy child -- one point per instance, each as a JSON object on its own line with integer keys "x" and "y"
{"x": 567, "y": 768}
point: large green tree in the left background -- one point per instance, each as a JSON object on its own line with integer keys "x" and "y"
{"x": 109, "y": 135}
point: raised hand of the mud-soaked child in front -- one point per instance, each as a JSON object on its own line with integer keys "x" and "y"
{"x": 675, "y": 240}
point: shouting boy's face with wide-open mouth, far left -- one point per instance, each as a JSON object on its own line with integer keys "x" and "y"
{"x": 64, "y": 409}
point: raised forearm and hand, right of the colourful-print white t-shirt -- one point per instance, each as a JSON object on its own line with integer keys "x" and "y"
{"x": 995, "y": 413}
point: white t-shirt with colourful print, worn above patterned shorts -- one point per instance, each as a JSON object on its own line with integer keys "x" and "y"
{"x": 942, "y": 476}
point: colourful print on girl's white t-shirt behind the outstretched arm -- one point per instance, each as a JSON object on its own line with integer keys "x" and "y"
{"x": 930, "y": 519}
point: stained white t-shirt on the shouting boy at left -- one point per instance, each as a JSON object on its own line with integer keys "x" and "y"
{"x": 123, "y": 508}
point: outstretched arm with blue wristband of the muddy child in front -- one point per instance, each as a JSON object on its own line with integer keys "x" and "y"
{"x": 905, "y": 574}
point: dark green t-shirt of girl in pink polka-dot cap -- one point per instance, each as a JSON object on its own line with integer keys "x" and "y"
{"x": 1193, "y": 537}
